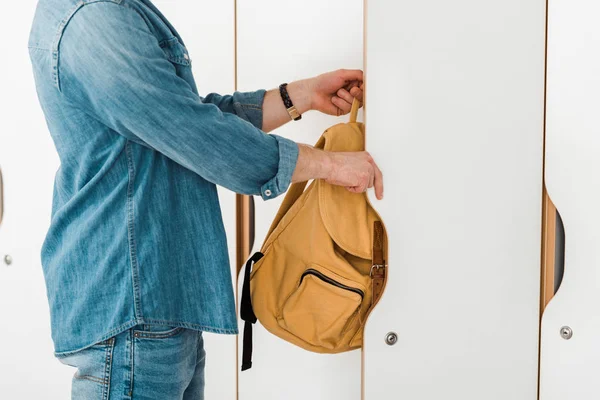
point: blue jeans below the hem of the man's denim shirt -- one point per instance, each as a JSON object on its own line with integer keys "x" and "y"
{"x": 145, "y": 362}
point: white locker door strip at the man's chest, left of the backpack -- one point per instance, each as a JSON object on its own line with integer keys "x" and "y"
{"x": 207, "y": 28}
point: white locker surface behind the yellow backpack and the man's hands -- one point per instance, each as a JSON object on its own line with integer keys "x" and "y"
{"x": 282, "y": 41}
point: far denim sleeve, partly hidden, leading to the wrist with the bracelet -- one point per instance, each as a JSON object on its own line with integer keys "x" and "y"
{"x": 245, "y": 105}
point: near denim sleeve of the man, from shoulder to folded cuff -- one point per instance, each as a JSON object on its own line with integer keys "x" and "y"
{"x": 112, "y": 66}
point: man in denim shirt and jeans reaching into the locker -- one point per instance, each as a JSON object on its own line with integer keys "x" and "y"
{"x": 135, "y": 259}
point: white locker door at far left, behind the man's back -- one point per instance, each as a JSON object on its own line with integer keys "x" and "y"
{"x": 28, "y": 369}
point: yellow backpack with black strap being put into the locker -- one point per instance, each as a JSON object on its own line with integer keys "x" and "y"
{"x": 321, "y": 269}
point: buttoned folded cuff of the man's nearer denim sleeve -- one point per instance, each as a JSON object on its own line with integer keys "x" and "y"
{"x": 288, "y": 156}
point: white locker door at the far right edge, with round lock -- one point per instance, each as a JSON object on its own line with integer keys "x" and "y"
{"x": 570, "y": 368}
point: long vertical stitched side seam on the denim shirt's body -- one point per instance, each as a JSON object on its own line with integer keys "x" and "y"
{"x": 131, "y": 234}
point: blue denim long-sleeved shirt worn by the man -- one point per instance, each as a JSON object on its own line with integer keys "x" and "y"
{"x": 136, "y": 234}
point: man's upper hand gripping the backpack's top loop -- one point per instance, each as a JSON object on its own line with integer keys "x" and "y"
{"x": 332, "y": 93}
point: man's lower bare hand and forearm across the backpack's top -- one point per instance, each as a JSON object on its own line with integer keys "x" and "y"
{"x": 356, "y": 171}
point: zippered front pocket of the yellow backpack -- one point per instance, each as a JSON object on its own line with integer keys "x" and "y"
{"x": 322, "y": 308}
